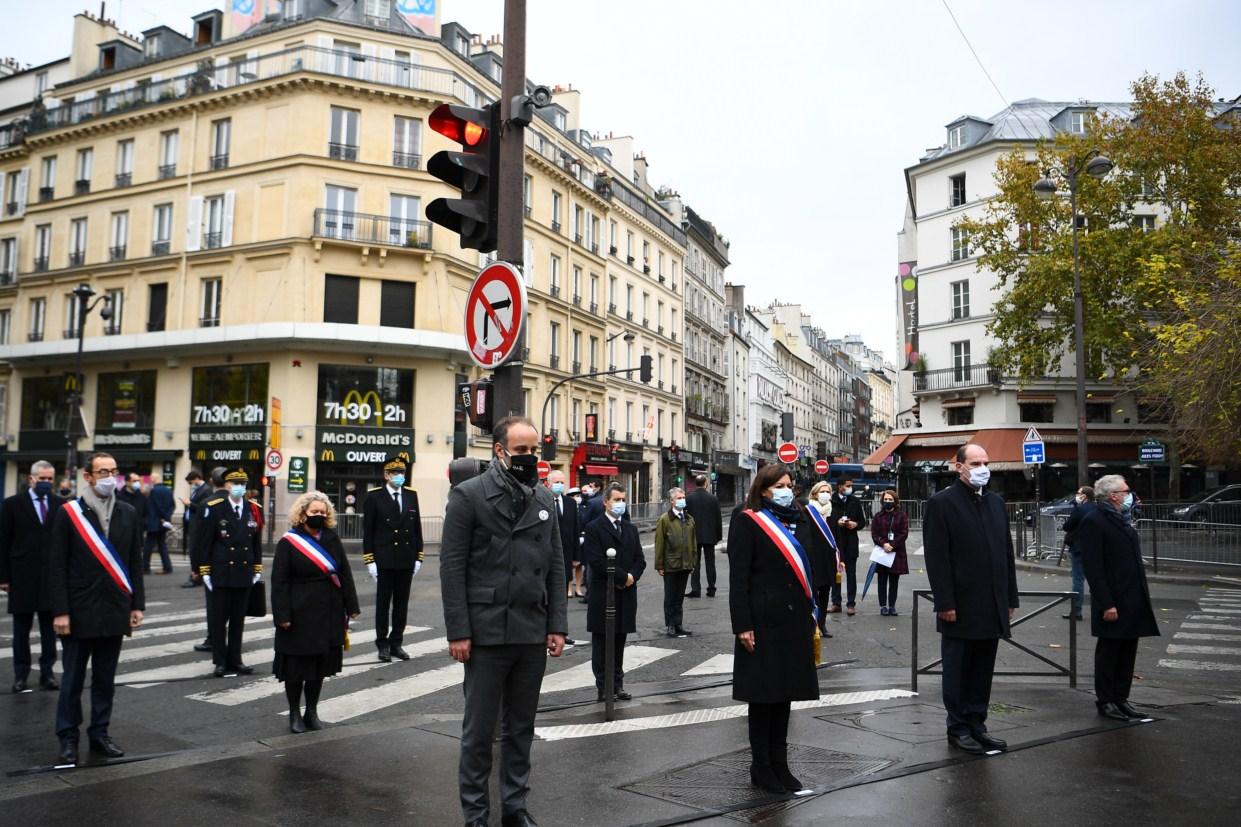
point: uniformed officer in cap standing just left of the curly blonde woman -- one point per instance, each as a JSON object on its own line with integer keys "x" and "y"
{"x": 229, "y": 557}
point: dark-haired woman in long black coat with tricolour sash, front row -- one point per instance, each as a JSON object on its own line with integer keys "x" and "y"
{"x": 774, "y": 620}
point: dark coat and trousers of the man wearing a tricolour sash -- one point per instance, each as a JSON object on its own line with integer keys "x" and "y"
{"x": 99, "y": 613}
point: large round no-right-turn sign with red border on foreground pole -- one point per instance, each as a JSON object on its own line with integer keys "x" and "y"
{"x": 496, "y": 314}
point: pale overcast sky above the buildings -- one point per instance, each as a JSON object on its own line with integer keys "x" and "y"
{"x": 790, "y": 124}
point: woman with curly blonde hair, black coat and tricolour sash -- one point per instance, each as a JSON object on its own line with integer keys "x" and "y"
{"x": 312, "y": 595}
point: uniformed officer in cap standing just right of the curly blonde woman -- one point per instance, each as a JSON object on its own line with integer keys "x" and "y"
{"x": 393, "y": 553}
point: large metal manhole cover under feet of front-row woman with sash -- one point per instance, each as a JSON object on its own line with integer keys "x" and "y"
{"x": 724, "y": 782}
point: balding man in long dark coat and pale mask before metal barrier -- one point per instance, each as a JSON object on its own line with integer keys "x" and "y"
{"x": 974, "y": 581}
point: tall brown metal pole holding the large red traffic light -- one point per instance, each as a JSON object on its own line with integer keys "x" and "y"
{"x": 509, "y": 397}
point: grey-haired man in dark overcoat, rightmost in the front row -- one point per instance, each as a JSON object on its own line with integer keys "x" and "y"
{"x": 1120, "y": 599}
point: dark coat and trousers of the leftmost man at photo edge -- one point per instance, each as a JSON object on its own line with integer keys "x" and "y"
{"x": 24, "y": 551}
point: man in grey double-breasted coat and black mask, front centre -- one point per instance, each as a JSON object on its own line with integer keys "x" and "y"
{"x": 502, "y": 572}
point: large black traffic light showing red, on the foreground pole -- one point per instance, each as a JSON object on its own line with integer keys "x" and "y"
{"x": 476, "y": 172}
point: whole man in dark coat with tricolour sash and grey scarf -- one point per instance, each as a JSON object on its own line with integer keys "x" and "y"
{"x": 96, "y": 583}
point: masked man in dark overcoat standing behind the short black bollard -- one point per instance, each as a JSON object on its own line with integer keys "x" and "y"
{"x": 612, "y": 532}
